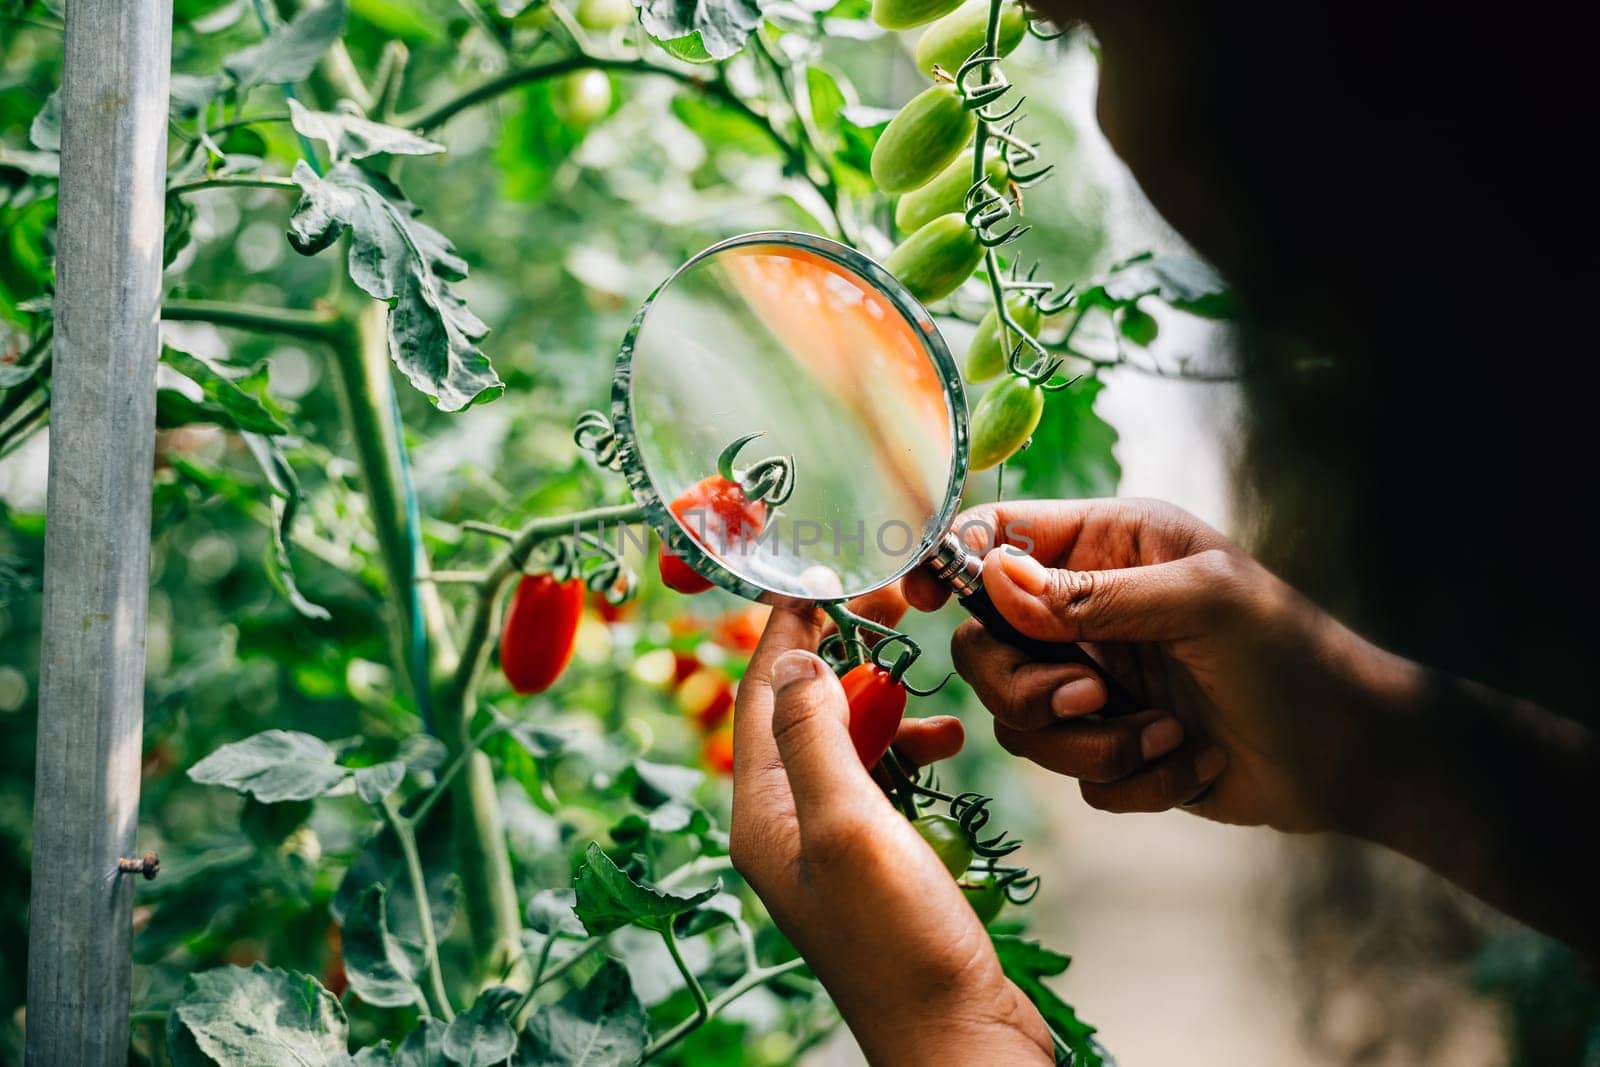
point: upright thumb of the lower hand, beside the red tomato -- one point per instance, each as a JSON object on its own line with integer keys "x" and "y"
{"x": 810, "y": 725}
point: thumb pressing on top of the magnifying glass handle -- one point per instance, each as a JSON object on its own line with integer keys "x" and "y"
{"x": 1159, "y": 602}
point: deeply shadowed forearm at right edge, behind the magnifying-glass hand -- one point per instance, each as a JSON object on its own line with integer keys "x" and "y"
{"x": 1495, "y": 794}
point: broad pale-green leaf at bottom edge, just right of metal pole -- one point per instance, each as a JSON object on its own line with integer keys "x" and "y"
{"x": 257, "y": 1018}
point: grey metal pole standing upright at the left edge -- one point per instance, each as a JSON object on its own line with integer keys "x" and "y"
{"x": 98, "y": 535}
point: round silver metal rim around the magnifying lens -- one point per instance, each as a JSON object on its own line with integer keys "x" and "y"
{"x": 633, "y": 460}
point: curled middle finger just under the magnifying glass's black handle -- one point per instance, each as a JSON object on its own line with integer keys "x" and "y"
{"x": 1020, "y": 690}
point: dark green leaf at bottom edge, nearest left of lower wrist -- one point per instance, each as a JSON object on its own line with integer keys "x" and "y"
{"x": 598, "y": 1026}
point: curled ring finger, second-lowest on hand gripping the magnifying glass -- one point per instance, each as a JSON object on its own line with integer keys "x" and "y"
{"x": 1097, "y": 751}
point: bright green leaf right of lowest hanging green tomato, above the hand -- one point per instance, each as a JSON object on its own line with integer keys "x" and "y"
{"x": 1071, "y": 455}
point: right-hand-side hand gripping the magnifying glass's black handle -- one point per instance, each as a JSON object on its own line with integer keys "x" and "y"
{"x": 1249, "y": 689}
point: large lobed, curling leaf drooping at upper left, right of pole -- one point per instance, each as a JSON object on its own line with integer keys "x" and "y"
{"x": 409, "y": 265}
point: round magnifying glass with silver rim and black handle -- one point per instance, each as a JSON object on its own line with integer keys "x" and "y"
{"x": 807, "y": 375}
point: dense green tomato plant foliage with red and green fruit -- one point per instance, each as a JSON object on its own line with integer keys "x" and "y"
{"x": 370, "y": 837}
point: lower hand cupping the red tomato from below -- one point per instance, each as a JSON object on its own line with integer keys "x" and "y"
{"x": 850, "y": 882}
